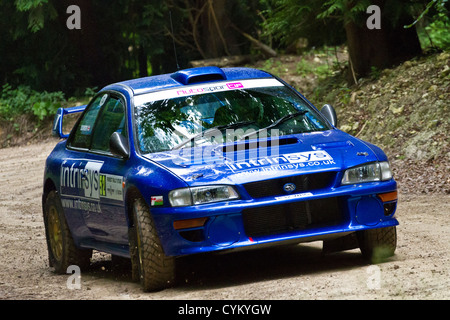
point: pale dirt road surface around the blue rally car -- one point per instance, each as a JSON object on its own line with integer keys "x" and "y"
{"x": 419, "y": 270}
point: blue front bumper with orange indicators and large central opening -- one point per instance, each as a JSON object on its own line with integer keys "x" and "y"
{"x": 317, "y": 215}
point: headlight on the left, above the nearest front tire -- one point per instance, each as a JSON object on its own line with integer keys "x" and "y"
{"x": 201, "y": 195}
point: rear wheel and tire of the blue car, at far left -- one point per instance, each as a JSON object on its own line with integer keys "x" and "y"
{"x": 62, "y": 251}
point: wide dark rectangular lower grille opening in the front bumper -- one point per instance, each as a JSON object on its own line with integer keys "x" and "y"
{"x": 292, "y": 216}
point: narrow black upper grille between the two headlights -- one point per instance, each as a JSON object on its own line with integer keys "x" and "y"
{"x": 303, "y": 183}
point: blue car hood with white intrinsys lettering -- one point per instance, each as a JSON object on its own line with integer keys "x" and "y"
{"x": 238, "y": 163}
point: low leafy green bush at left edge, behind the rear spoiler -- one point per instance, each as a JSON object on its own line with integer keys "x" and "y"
{"x": 23, "y": 101}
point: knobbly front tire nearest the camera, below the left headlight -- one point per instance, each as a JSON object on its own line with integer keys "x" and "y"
{"x": 150, "y": 265}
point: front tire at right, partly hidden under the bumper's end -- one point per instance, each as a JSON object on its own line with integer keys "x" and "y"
{"x": 377, "y": 244}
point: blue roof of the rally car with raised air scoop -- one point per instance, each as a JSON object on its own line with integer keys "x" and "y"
{"x": 187, "y": 77}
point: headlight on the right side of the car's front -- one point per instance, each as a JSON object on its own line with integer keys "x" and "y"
{"x": 376, "y": 171}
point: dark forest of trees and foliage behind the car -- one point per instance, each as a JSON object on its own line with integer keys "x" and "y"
{"x": 53, "y": 56}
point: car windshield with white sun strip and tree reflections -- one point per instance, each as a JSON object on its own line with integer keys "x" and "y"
{"x": 221, "y": 113}
